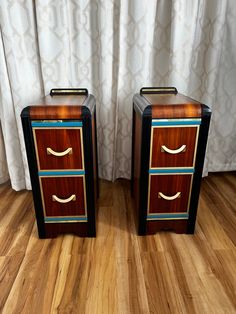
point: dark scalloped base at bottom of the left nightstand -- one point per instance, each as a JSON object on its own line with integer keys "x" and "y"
{"x": 56, "y": 229}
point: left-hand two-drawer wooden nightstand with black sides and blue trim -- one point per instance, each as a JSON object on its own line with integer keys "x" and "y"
{"x": 61, "y": 146}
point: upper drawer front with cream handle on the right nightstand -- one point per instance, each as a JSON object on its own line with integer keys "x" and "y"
{"x": 173, "y": 146}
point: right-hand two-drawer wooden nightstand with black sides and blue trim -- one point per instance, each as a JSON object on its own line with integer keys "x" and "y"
{"x": 169, "y": 140}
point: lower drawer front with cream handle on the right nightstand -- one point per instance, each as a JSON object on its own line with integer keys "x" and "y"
{"x": 169, "y": 194}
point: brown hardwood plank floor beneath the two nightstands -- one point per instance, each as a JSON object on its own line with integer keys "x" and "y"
{"x": 118, "y": 271}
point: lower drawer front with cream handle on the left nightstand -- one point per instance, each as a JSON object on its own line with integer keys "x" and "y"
{"x": 63, "y": 196}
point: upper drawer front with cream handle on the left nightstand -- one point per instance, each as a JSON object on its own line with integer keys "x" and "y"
{"x": 59, "y": 148}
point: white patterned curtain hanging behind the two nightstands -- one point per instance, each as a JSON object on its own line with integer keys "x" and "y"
{"x": 114, "y": 48}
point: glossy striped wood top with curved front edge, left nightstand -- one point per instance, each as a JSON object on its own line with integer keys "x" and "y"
{"x": 58, "y": 107}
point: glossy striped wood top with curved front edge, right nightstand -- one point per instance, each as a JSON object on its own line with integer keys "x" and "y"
{"x": 173, "y": 106}
